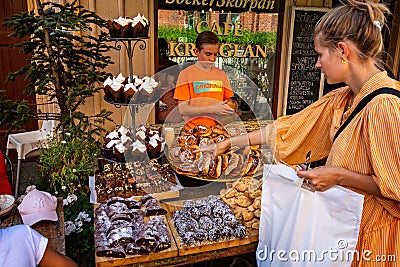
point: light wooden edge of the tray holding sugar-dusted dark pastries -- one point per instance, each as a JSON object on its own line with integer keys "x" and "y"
{"x": 210, "y": 246}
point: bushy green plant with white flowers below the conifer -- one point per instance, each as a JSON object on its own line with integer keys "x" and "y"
{"x": 65, "y": 165}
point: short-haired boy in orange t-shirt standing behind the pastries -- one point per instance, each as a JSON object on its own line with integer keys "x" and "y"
{"x": 203, "y": 90}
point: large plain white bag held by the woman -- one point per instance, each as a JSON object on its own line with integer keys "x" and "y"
{"x": 303, "y": 228}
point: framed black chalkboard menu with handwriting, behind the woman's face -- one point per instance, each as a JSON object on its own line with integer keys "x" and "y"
{"x": 303, "y": 85}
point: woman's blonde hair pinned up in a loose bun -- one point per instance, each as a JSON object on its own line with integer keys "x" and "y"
{"x": 360, "y": 22}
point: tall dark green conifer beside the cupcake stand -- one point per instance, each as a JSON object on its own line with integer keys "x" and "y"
{"x": 65, "y": 63}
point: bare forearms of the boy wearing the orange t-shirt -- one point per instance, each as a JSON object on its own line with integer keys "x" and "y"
{"x": 219, "y": 108}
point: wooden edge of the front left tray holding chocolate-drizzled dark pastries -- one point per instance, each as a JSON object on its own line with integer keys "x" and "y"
{"x": 136, "y": 259}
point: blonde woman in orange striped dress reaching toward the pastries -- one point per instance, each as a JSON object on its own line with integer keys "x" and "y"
{"x": 364, "y": 155}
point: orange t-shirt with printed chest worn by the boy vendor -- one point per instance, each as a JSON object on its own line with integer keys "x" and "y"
{"x": 202, "y": 88}
